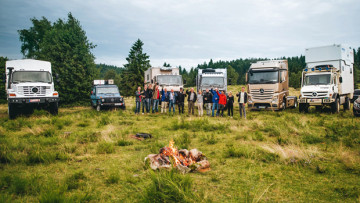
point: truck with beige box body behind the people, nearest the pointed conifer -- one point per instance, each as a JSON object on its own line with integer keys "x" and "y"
{"x": 166, "y": 77}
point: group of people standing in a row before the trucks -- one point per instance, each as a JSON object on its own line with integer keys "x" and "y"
{"x": 215, "y": 102}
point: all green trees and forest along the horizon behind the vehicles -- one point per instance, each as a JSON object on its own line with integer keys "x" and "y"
{"x": 64, "y": 43}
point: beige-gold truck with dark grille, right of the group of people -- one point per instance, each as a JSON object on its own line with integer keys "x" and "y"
{"x": 268, "y": 86}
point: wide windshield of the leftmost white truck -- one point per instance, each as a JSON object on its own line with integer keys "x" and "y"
{"x": 31, "y": 76}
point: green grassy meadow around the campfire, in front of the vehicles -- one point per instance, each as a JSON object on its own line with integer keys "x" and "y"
{"x": 84, "y": 155}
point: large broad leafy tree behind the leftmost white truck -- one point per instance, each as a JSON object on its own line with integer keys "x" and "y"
{"x": 66, "y": 46}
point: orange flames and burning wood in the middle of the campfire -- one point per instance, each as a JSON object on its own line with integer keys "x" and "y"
{"x": 173, "y": 152}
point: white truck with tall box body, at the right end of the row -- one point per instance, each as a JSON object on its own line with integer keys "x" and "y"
{"x": 328, "y": 79}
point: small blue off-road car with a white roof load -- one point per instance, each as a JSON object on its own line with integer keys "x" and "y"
{"x": 105, "y": 94}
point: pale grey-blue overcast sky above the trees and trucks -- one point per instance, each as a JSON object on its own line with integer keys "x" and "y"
{"x": 189, "y": 32}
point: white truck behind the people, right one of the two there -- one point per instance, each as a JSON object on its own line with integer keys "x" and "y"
{"x": 211, "y": 78}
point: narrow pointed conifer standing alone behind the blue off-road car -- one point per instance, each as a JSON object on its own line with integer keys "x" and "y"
{"x": 133, "y": 73}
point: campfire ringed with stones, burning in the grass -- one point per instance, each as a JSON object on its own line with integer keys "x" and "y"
{"x": 183, "y": 160}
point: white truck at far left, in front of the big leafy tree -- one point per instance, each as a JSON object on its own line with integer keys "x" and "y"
{"x": 29, "y": 85}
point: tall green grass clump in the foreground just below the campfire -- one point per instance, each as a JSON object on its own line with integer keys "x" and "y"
{"x": 169, "y": 186}
